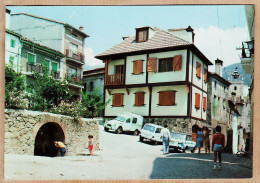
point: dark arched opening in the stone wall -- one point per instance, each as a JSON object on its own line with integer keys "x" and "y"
{"x": 44, "y": 140}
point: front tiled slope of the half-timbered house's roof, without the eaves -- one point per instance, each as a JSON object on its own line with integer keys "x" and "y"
{"x": 161, "y": 39}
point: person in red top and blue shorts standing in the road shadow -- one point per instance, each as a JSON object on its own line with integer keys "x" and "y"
{"x": 218, "y": 143}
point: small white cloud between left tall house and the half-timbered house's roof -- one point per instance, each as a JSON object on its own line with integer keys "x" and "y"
{"x": 90, "y": 61}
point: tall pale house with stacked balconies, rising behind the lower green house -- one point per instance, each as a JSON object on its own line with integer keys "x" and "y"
{"x": 59, "y": 36}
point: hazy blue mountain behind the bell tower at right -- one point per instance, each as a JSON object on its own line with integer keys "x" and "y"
{"x": 227, "y": 71}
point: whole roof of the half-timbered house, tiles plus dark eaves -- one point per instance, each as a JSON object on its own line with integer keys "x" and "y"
{"x": 160, "y": 40}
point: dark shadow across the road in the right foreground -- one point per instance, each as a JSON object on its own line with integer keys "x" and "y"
{"x": 197, "y": 166}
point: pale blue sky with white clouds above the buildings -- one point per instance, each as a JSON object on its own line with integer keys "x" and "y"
{"x": 219, "y": 29}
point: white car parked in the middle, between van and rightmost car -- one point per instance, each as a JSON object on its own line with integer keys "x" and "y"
{"x": 151, "y": 132}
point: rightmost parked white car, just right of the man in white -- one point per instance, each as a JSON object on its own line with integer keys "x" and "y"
{"x": 182, "y": 141}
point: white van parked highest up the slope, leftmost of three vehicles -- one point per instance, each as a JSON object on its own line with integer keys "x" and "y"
{"x": 125, "y": 122}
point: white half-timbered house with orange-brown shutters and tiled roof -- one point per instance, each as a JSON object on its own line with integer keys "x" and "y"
{"x": 160, "y": 75}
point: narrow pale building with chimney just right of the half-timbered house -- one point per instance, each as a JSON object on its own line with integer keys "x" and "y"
{"x": 218, "y": 112}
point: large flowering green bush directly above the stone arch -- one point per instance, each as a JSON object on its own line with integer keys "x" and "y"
{"x": 47, "y": 92}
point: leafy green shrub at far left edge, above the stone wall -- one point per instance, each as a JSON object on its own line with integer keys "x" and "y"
{"x": 14, "y": 89}
